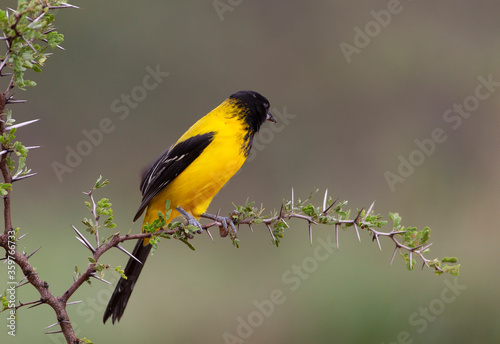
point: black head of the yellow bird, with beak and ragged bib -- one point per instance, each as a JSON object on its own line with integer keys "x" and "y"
{"x": 254, "y": 111}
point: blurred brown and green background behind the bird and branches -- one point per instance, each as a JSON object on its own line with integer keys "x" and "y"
{"x": 351, "y": 123}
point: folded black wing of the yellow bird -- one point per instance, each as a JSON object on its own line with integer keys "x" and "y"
{"x": 169, "y": 165}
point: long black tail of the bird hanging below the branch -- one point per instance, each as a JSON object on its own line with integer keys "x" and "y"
{"x": 123, "y": 290}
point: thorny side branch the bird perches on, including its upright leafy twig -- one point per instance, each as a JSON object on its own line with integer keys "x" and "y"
{"x": 410, "y": 240}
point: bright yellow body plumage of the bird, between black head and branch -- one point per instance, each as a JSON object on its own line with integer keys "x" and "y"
{"x": 195, "y": 187}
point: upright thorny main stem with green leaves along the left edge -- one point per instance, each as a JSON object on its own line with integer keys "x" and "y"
{"x": 21, "y": 29}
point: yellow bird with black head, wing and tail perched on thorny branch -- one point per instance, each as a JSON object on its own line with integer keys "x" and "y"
{"x": 190, "y": 173}
